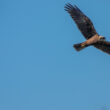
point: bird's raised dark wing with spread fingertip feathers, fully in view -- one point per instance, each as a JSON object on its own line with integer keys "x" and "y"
{"x": 83, "y": 22}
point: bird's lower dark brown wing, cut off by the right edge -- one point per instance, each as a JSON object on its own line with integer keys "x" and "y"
{"x": 104, "y": 46}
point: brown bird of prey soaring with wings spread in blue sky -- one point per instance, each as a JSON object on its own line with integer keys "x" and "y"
{"x": 87, "y": 29}
